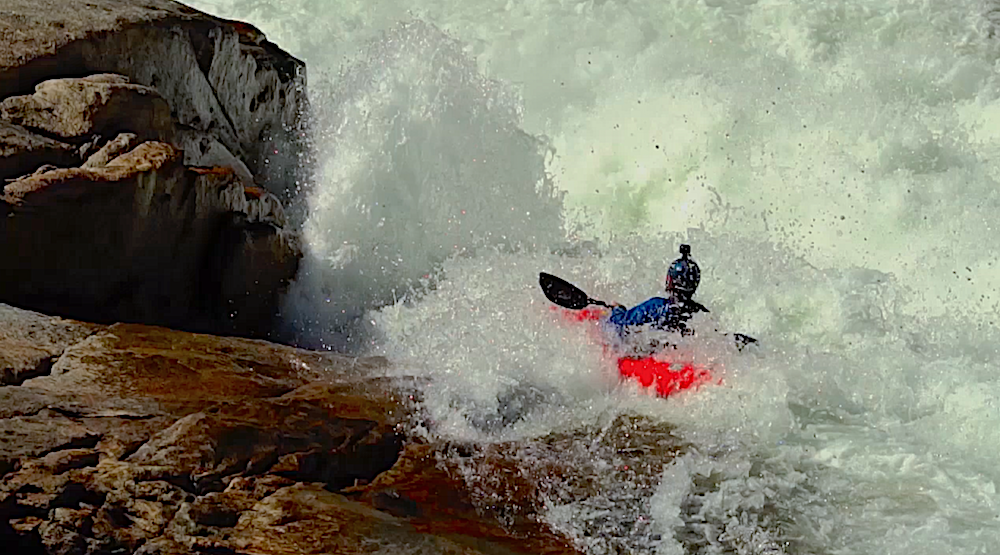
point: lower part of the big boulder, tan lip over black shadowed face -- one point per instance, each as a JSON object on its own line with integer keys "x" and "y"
{"x": 144, "y": 238}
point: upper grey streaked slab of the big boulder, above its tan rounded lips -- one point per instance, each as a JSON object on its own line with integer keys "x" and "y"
{"x": 232, "y": 93}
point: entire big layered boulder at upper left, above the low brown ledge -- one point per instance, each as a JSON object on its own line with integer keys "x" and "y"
{"x": 149, "y": 151}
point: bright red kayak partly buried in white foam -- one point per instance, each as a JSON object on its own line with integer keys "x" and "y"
{"x": 666, "y": 376}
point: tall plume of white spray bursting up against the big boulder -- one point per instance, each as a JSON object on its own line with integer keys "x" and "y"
{"x": 421, "y": 158}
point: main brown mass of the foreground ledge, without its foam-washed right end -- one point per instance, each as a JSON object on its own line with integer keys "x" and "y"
{"x": 138, "y": 432}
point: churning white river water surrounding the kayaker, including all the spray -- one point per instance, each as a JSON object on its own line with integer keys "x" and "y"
{"x": 834, "y": 165}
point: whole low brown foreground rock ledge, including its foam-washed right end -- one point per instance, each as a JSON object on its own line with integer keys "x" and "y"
{"x": 138, "y": 439}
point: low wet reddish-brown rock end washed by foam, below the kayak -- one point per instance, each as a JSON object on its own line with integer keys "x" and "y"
{"x": 506, "y": 491}
